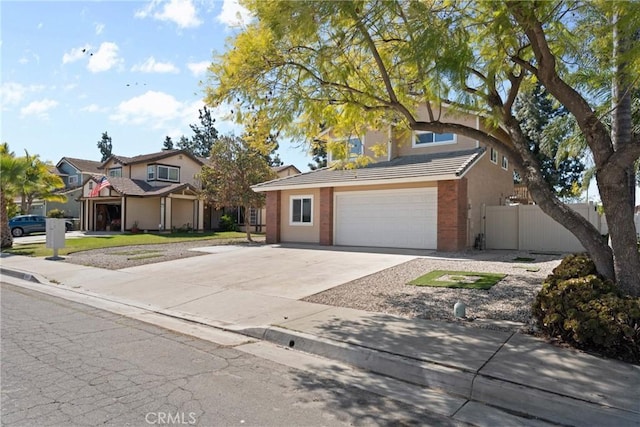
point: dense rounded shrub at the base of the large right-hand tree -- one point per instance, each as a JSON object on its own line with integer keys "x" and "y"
{"x": 582, "y": 309}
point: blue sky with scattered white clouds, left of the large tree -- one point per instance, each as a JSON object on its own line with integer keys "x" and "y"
{"x": 74, "y": 69}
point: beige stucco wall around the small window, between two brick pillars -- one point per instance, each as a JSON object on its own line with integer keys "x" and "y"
{"x": 300, "y": 233}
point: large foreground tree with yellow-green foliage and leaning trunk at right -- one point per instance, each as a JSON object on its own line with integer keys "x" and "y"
{"x": 356, "y": 65}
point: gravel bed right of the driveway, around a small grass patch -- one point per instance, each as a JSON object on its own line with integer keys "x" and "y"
{"x": 507, "y": 305}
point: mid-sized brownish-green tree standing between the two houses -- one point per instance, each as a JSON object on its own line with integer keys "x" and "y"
{"x": 234, "y": 166}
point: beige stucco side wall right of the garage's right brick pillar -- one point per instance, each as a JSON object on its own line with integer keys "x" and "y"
{"x": 488, "y": 184}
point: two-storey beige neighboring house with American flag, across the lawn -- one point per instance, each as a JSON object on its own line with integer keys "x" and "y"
{"x": 156, "y": 191}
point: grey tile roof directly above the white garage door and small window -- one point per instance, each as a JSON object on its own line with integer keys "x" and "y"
{"x": 417, "y": 168}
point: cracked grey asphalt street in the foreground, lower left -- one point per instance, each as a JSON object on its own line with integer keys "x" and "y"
{"x": 65, "y": 363}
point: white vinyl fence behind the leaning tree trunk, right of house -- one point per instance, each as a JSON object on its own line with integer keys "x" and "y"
{"x": 527, "y": 228}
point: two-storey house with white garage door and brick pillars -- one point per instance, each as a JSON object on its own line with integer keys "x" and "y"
{"x": 428, "y": 193}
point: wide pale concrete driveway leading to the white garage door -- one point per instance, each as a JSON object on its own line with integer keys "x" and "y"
{"x": 229, "y": 286}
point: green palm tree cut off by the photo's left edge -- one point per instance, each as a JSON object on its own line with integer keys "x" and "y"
{"x": 13, "y": 169}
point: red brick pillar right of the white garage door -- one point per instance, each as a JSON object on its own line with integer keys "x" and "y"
{"x": 452, "y": 215}
